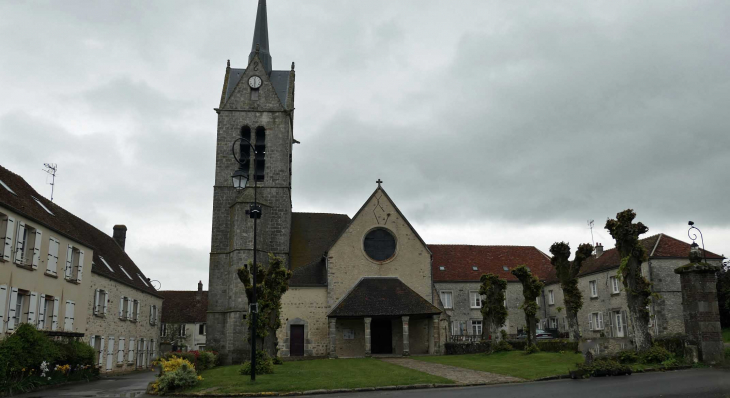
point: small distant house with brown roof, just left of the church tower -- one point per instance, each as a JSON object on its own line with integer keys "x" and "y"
{"x": 184, "y": 314}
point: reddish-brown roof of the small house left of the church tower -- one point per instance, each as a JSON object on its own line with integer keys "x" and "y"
{"x": 184, "y": 306}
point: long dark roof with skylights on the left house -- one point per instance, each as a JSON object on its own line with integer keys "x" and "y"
{"x": 72, "y": 227}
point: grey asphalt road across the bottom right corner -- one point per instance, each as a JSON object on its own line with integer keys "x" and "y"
{"x": 705, "y": 383}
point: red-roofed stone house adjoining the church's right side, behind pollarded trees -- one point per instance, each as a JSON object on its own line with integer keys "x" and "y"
{"x": 456, "y": 273}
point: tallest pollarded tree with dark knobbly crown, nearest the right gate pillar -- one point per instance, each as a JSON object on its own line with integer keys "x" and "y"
{"x": 638, "y": 290}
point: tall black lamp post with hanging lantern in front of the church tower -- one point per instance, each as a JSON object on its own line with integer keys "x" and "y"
{"x": 240, "y": 180}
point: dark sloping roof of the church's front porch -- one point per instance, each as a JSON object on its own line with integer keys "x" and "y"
{"x": 382, "y": 296}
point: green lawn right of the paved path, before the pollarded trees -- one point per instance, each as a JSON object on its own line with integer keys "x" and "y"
{"x": 513, "y": 363}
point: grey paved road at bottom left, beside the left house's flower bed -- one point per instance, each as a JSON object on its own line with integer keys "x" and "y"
{"x": 127, "y": 386}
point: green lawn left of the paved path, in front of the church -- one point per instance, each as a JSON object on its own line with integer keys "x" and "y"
{"x": 314, "y": 375}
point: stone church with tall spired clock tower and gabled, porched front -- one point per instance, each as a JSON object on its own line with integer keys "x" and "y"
{"x": 360, "y": 285}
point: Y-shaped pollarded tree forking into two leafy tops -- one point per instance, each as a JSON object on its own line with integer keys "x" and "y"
{"x": 567, "y": 272}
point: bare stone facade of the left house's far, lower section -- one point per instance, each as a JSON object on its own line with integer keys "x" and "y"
{"x": 110, "y": 325}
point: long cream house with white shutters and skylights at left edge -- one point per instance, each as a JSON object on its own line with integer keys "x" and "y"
{"x": 89, "y": 287}
